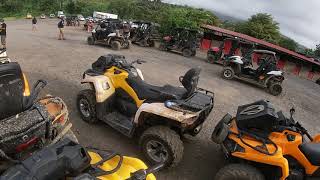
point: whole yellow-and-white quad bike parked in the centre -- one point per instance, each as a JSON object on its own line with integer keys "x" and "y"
{"x": 120, "y": 97}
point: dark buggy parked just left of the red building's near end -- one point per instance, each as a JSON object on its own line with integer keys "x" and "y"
{"x": 182, "y": 40}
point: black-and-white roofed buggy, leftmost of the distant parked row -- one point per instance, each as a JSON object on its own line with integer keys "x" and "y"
{"x": 112, "y": 33}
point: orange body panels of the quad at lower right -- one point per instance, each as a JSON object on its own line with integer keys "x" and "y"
{"x": 285, "y": 147}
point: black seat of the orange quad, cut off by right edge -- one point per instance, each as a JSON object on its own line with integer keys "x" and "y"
{"x": 312, "y": 152}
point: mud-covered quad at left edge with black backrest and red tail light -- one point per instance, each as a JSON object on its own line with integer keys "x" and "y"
{"x": 26, "y": 122}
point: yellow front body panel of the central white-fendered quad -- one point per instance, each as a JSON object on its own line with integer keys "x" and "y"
{"x": 118, "y": 78}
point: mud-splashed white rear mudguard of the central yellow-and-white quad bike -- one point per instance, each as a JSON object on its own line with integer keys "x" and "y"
{"x": 159, "y": 109}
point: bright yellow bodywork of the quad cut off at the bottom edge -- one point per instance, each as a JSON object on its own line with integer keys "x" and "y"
{"x": 128, "y": 166}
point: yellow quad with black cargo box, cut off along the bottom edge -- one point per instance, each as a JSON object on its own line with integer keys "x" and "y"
{"x": 69, "y": 160}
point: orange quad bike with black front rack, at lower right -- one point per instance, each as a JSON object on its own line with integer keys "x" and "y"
{"x": 262, "y": 144}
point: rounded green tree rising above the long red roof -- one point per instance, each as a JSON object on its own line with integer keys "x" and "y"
{"x": 261, "y": 26}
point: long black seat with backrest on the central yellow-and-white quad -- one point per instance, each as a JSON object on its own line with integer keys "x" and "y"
{"x": 167, "y": 92}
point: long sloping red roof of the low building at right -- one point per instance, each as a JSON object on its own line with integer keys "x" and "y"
{"x": 261, "y": 42}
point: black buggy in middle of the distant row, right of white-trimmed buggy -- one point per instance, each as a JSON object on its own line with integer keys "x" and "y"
{"x": 145, "y": 33}
